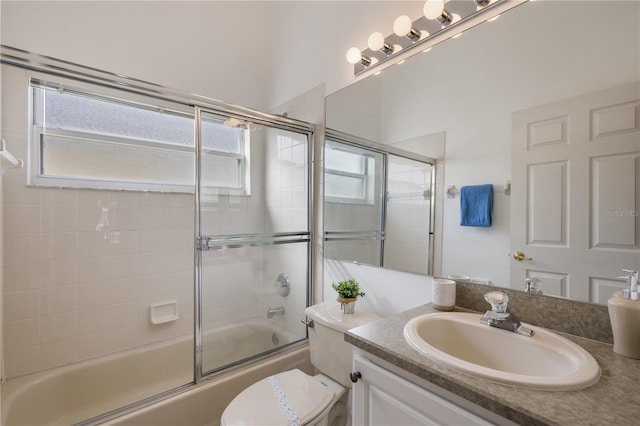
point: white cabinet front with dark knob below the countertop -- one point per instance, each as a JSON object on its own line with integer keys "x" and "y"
{"x": 384, "y": 398}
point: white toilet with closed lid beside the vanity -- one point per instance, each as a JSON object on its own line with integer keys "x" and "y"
{"x": 295, "y": 398}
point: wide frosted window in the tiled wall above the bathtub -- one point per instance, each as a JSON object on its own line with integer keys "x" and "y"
{"x": 95, "y": 137}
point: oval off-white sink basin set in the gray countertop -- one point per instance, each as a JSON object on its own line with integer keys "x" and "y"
{"x": 543, "y": 361}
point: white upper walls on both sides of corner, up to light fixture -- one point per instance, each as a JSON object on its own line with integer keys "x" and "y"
{"x": 258, "y": 54}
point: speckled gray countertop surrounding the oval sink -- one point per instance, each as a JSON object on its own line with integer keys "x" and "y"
{"x": 614, "y": 400}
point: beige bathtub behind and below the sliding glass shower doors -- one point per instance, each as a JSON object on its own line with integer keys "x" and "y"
{"x": 80, "y": 391}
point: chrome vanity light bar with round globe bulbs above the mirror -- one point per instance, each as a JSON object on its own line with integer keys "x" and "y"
{"x": 436, "y": 25}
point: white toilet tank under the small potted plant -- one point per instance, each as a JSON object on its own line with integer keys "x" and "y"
{"x": 330, "y": 354}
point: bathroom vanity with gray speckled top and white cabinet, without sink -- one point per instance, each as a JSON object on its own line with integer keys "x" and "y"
{"x": 383, "y": 355}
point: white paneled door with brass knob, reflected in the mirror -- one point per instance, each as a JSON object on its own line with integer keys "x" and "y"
{"x": 576, "y": 193}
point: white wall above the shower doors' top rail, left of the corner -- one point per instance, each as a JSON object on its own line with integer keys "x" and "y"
{"x": 215, "y": 49}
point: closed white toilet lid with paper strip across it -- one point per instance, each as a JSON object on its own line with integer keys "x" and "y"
{"x": 289, "y": 398}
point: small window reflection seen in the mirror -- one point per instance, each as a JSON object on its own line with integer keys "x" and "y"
{"x": 349, "y": 174}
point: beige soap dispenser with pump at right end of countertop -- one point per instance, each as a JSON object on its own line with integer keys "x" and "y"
{"x": 624, "y": 313}
